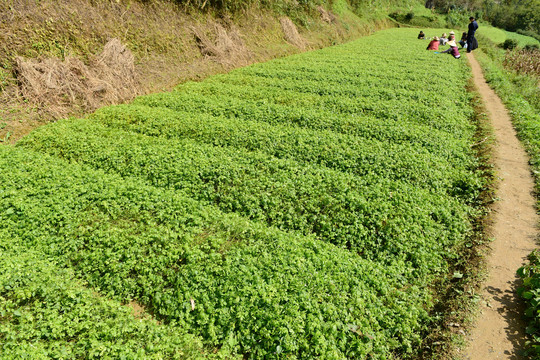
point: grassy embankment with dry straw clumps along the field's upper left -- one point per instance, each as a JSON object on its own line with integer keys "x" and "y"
{"x": 67, "y": 58}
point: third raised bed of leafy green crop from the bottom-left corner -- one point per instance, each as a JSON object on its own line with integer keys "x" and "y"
{"x": 365, "y": 214}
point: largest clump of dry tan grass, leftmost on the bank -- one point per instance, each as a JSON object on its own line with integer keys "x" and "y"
{"x": 60, "y": 86}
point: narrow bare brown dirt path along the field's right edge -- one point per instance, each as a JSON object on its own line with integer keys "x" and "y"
{"x": 499, "y": 331}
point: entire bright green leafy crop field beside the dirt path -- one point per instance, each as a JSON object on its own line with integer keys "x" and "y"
{"x": 306, "y": 207}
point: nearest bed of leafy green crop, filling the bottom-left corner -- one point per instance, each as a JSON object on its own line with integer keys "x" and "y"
{"x": 47, "y": 312}
